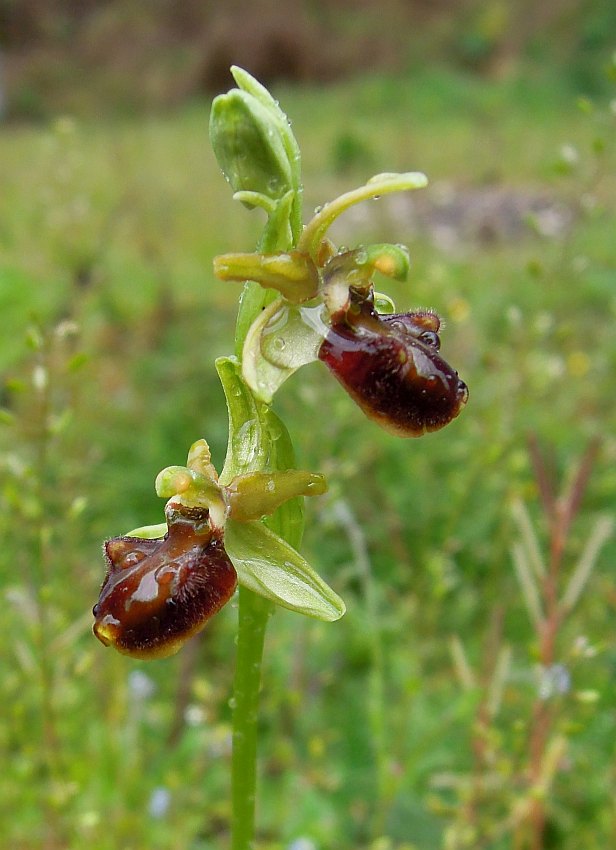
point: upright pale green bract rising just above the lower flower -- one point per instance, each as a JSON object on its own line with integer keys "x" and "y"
{"x": 248, "y": 447}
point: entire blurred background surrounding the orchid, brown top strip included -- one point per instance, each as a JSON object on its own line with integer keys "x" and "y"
{"x": 428, "y": 717}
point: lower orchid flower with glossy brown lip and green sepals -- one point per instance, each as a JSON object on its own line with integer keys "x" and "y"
{"x": 164, "y": 582}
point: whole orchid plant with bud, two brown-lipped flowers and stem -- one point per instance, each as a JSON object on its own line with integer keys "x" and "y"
{"x": 303, "y": 300}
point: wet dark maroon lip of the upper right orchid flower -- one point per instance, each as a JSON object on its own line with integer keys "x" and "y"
{"x": 391, "y": 367}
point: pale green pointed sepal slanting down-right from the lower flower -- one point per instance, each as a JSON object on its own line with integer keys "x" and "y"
{"x": 272, "y": 568}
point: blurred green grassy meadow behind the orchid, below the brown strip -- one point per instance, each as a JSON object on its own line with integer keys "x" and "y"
{"x": 112, "y": 319}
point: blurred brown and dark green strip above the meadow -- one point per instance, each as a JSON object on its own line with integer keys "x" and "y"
{"x": 124, "y": 56}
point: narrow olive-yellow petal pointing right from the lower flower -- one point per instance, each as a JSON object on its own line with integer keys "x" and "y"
{"x": 257, "y": 494}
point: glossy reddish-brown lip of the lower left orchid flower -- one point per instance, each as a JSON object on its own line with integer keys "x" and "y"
{"x": 159, "y": 593}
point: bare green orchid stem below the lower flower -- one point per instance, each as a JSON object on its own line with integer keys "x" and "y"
{"x": 253, "y": 615}
